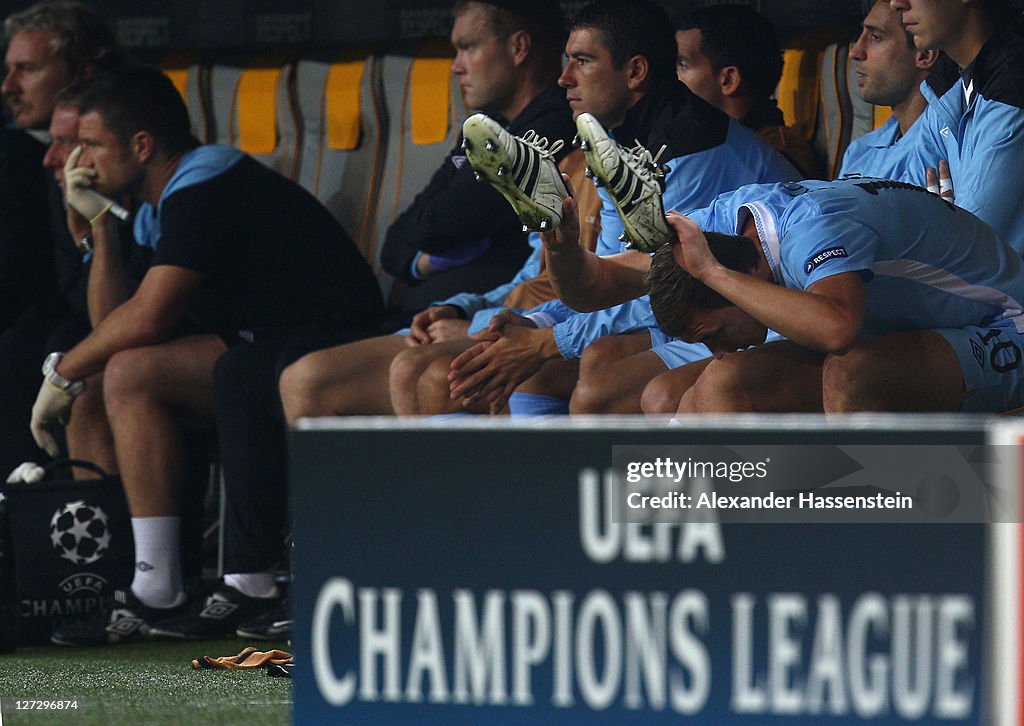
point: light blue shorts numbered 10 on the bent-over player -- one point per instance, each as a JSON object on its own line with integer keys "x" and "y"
{"x": 993, "y": 363}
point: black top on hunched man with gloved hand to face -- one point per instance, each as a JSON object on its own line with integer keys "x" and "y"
{"x": 275, "y": 260}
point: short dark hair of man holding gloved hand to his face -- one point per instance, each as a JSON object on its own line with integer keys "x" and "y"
{"x": 141, "y": 99}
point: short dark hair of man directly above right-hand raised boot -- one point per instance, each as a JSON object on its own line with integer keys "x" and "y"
{"x": 634, "y": 28}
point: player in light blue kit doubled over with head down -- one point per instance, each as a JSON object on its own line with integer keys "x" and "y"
{"x": 880, "y": 311}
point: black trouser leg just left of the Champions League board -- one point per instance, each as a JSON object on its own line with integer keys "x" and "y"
{"x": 253, "y": 454}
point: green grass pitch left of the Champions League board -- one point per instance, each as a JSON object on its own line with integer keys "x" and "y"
{"x": 144, "y": 684}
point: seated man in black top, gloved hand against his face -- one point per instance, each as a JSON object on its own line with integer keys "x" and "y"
{"x": 242, "y": 257}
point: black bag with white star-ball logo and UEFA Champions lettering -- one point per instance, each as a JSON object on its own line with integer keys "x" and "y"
{"x": 65, "y": 546}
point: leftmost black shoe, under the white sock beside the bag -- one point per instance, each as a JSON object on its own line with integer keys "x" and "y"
{"x": 123, "y": 619}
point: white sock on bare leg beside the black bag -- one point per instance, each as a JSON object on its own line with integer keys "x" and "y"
{"x": 158, "y": 566}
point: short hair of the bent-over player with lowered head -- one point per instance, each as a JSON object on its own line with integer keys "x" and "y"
{"x": 676, "y": 295}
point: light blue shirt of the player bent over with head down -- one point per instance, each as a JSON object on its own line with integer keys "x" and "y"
{"x": 927, "y": 264}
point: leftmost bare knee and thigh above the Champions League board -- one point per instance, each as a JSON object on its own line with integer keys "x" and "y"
{"x": 346, "y": 380}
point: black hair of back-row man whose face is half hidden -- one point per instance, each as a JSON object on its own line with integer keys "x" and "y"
{"x": 739, "y": 35}
